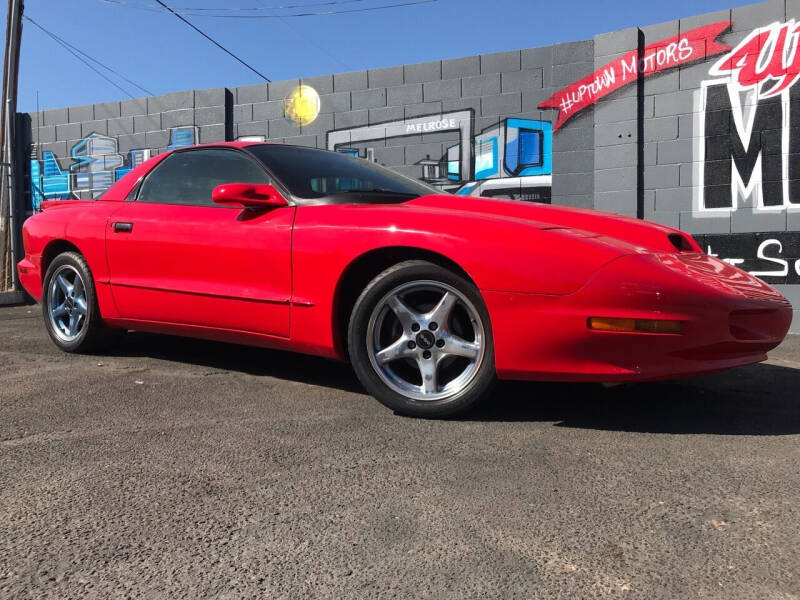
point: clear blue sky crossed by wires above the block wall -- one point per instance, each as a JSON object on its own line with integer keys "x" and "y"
{"x": 161, "y": 54}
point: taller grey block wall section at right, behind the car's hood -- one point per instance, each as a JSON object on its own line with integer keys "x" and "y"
{"x": 672, "y": 115}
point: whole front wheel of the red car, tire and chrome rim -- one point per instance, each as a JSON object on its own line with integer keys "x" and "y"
{"x": 421, "y": 342}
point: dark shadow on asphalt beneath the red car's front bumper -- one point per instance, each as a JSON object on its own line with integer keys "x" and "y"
{"x": 756, "y": 400}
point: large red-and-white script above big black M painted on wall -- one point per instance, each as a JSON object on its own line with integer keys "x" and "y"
{"x": 748, "y": 143}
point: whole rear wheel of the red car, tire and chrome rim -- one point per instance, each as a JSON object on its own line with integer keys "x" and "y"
{"x": 69, "y": 306}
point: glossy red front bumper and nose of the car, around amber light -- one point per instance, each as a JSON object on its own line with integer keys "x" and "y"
{"x": 729, "y": 319}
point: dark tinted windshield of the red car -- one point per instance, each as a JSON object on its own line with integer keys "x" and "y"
{"x": 311, "y": 174}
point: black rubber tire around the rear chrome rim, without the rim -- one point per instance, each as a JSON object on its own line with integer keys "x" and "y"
{"x": 94, "y": 334}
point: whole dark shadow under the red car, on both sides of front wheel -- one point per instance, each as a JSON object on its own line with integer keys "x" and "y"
{"x": 756, "y": 400}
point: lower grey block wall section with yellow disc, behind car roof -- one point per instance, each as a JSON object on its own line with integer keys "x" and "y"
{"x": 488, "y": 89}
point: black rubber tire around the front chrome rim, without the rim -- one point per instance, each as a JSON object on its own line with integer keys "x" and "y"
{"x": 360, "y": 342}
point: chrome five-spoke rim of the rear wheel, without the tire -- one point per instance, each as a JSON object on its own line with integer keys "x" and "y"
{"x": 66, "y": 302}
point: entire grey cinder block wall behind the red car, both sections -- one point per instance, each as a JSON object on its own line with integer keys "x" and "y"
{"x": 650, "y": 149}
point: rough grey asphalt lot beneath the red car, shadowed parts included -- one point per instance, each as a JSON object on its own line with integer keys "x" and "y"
{"x": 176, "y": 468}
